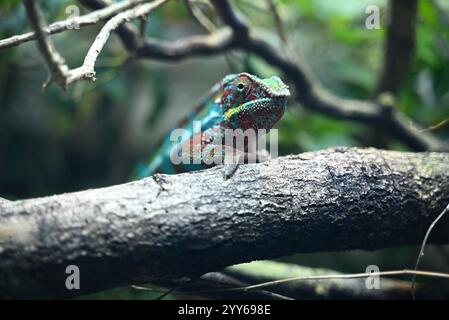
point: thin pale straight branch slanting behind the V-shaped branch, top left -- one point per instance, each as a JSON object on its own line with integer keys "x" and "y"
{"x": 74, "y": 22}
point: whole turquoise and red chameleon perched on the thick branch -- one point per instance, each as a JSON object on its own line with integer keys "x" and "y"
{"x": 239, "y": 101}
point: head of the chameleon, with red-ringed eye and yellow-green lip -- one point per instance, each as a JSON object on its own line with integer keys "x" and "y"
{"x": 250, "y": 102}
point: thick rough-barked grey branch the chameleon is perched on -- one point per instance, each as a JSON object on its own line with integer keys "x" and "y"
{"x": 173, "y": 227}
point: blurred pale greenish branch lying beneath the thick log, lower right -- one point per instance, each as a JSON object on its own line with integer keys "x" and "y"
{"x": 267, "y": 271}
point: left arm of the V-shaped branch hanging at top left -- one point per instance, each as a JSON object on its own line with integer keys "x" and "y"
{"x": 58, "y": 71}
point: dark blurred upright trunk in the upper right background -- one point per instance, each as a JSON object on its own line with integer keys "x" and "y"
{"x": 399, "y": 45}
